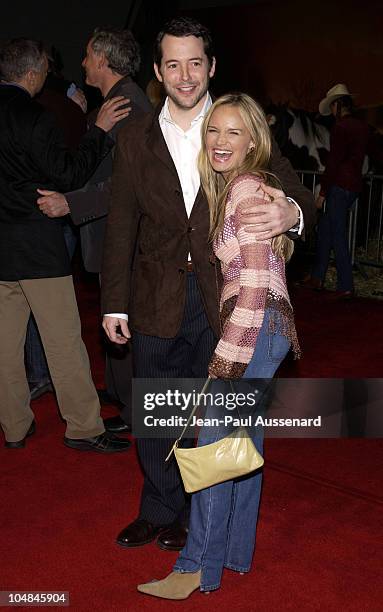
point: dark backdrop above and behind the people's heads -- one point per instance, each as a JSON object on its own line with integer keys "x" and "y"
{"x": 275, "y": 49}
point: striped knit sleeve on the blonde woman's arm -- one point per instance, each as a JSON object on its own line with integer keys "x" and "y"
{"x": 236, "y": 346}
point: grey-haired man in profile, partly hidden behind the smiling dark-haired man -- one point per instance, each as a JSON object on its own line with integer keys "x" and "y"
{"x": 112, "y": 58}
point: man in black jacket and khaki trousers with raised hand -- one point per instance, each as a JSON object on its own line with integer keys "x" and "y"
{"x": 34, "y": 264}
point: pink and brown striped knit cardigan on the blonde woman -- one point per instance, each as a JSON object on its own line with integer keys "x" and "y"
{"x": 253, "y": 280}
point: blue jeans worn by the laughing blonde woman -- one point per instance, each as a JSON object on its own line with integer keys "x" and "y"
{"x": 223, "y": 518}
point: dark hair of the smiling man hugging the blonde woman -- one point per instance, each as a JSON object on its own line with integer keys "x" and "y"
{"x": 180, "y": 27}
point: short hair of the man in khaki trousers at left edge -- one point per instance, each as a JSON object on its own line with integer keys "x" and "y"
{"x": 20, "y": 55}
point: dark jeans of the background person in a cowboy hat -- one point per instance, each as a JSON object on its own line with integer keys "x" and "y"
{"x": 332, "y": 234}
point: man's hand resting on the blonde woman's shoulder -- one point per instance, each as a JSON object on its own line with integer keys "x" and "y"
{"x": 272, "y": 218}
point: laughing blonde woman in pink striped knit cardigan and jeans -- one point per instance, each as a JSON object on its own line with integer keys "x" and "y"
{"x": 257, "y": 332}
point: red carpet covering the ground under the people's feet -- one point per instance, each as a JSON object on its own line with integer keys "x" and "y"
{"x": 319, "y": 536}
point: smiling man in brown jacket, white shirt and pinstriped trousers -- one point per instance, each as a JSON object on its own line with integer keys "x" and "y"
{"x": 157, "y": 262}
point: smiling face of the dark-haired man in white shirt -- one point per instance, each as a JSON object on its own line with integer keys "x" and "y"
{"x": 184, "y": 70}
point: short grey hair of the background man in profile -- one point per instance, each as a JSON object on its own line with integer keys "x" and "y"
{"x": 120, "y": 48}
